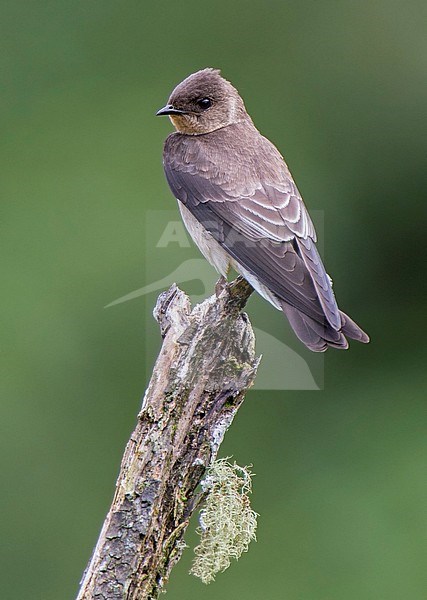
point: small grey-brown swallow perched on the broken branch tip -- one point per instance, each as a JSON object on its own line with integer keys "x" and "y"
{"x": 241, "y": 206}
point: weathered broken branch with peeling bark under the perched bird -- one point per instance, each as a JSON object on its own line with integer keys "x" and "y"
{"x": 206, "y": 364}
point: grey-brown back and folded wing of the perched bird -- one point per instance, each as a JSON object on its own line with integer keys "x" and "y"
{"x": 257, "y": 215}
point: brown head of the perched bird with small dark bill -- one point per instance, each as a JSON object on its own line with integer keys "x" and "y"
{"x": 204, "y": 102}
